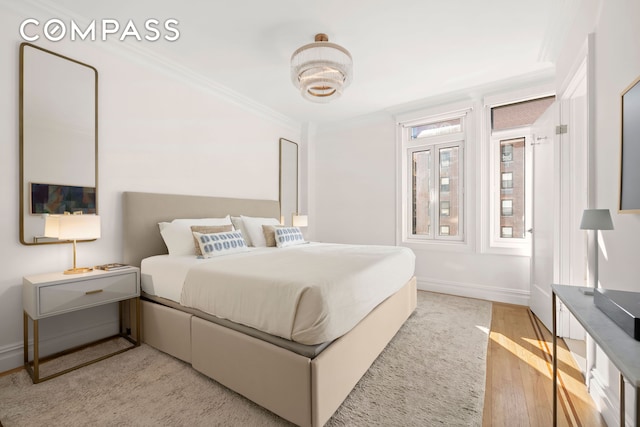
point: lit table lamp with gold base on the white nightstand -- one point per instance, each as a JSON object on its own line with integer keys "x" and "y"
{"x": 73, "y": 227}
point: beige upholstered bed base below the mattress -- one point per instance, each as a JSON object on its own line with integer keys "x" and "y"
{"x": 302, "y": 390}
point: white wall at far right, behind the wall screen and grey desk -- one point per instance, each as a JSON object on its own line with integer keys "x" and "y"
{"x": 617, "y": 64}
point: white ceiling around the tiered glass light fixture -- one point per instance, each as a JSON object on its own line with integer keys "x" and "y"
{"x": 403, "y": 51}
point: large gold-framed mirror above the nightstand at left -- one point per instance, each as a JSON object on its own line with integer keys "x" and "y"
{"x": 58, "y": 115}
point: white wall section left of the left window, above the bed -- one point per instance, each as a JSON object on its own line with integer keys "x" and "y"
{"x": 354, "y": 184}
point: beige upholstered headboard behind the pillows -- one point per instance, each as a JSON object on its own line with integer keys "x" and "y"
{"x": 143, "y": 211}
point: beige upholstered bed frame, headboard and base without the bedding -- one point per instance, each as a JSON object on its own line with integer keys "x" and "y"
{"x": 303, "y": 383}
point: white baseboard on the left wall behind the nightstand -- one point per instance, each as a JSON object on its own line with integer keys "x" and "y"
{"x": 12, "y": 355}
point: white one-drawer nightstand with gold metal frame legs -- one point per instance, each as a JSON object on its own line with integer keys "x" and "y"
{"x": 47, "y": 295}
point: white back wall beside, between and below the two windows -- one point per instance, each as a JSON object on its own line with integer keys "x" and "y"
{"x": 354, "y": 197}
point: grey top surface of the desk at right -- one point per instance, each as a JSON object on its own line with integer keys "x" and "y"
{"x": 622, "y": 349}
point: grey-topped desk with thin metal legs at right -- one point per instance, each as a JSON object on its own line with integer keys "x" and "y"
{"x": 620, "y": 348}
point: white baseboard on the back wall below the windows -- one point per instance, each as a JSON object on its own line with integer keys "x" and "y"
{"x": 471, "y": 290}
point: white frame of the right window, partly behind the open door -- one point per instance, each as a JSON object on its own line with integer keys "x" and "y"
{"x": 490, "y": 159}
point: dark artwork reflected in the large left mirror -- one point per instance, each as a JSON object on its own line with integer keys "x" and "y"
{"x": 58, "y": 199}
